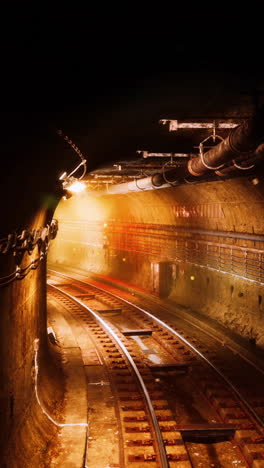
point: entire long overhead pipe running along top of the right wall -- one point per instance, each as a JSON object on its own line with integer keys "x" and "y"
{"x": 241, "y": 148}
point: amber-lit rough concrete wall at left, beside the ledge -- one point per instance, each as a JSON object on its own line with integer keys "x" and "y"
{"x": 26, "y": 434}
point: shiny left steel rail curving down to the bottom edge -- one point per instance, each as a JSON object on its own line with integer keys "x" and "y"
{"x": 161, "y": 447}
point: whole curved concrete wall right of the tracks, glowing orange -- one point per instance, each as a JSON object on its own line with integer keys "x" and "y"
{"x": 125, "y": 235}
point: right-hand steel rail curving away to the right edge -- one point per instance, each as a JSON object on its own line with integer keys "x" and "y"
{"x": 196, "y": 351}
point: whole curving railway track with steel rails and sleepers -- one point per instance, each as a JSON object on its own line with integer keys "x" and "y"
{"x": 176, "y": 403}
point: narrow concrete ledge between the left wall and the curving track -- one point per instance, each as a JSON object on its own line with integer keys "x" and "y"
{"x": 73, "y": 439}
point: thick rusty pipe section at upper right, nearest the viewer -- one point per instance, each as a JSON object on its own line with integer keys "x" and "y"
{"x": 241, "y": 142}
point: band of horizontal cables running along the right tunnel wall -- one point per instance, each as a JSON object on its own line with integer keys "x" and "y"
{"x": 169, "y": 243}
